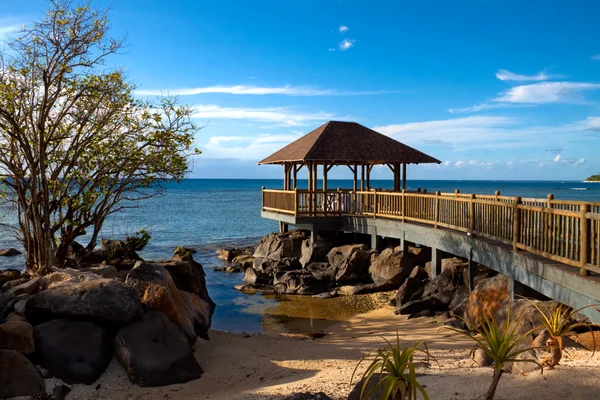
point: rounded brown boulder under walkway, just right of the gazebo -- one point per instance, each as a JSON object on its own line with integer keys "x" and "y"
{"x": 390, "y": 267}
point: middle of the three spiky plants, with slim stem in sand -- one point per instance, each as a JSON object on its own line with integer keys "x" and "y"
{"x": 502, "y": 344}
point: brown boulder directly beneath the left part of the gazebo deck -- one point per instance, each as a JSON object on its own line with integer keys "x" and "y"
{"x": 277, "y": 246}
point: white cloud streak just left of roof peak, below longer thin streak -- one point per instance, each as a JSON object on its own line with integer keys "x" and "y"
{"x": 279, "y": 115}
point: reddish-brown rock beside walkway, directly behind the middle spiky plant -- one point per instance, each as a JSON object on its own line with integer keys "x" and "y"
{"x": 489, "y": 296}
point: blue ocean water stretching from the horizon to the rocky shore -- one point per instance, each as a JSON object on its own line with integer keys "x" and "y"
{"x": 211, "y": 213}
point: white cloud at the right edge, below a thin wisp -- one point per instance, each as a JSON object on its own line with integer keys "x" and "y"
{"x": 546, "y": 92}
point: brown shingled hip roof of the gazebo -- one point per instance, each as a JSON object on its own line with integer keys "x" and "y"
{"x": 347, "y": 142}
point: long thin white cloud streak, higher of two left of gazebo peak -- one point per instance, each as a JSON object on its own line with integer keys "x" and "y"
{"x": 287, "y": 90}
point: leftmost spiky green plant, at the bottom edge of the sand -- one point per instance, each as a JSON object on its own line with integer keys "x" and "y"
{"x": 396, "y": 369}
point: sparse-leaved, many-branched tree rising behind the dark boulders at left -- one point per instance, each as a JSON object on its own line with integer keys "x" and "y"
{"x": 75, "y": 144}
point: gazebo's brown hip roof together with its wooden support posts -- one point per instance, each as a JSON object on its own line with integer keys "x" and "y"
{"x": 349, "y": 144}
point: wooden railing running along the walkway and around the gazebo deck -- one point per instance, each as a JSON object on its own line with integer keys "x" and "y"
{"x": 561, "y": 230}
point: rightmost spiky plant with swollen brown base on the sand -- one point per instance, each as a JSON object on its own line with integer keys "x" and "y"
{"x": 559, "y": 321}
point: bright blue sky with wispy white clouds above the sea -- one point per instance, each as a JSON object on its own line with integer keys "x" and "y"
{"x": 495, "y": 89}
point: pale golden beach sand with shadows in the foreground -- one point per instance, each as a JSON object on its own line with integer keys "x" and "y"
{"x": 270, "y": 366}
